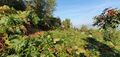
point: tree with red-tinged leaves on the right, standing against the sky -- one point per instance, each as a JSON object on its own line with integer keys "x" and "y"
{"x": 109, "y": 20}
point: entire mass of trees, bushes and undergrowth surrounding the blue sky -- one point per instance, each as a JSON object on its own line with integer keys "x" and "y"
{"x": 33, "y": 31}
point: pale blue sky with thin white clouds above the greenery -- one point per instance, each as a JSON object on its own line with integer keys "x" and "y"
{"x": 82, "y": 11}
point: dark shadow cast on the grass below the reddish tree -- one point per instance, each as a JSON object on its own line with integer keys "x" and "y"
{"x": 103, "y": 49}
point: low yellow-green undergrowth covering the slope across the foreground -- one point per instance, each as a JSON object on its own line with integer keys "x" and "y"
{"x": 62, "y": 43}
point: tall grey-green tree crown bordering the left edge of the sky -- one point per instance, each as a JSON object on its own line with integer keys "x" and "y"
{"x": 44, "y": 8}
